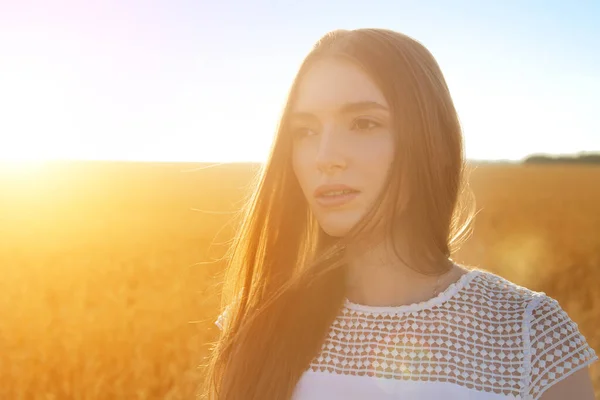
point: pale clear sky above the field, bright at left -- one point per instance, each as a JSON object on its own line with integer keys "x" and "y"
{"x": 198, "y": 80}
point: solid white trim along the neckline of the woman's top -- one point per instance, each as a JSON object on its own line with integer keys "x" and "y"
{"x": 443, "y": 296}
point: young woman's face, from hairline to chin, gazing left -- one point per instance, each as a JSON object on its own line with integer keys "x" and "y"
{"x": 343, "y": 143}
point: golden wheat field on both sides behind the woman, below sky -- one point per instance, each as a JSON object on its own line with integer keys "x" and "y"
{"x": 109, "y": 283}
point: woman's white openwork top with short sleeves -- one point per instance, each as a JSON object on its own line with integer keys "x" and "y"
{"x": 483, "y": 338}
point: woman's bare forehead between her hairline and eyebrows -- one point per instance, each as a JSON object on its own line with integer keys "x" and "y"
{"x": 330, "y": 83}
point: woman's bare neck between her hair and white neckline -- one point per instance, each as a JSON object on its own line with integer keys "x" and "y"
{"x": 377, "y": 276}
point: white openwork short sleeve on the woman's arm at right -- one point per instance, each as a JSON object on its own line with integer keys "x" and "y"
{"x": 556, "y": 347}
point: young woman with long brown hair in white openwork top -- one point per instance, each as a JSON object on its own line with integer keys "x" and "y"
{"x": 340, "y": 284}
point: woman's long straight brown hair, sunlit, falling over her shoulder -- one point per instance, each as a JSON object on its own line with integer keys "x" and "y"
{"x": 285, "y": 281}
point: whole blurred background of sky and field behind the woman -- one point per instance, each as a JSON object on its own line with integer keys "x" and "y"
{"x": 131, "y": 131}
